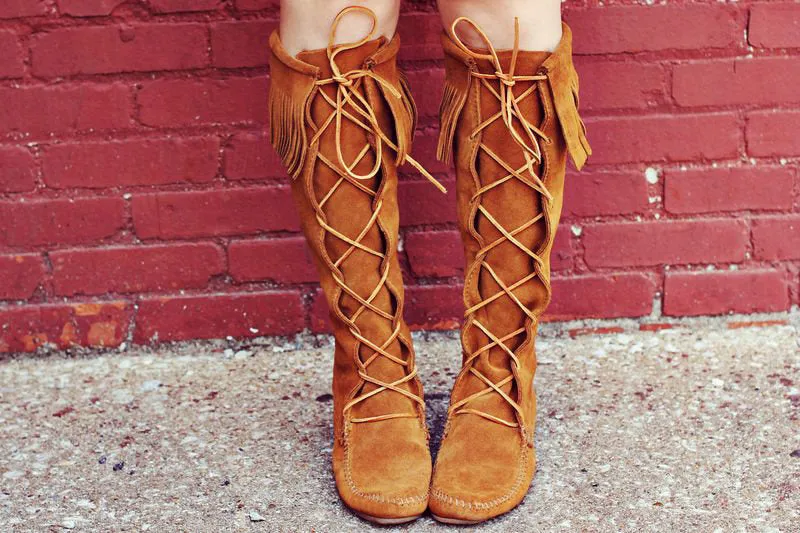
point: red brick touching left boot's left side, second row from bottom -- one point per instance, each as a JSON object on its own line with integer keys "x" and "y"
{"x": 284, "y": 260}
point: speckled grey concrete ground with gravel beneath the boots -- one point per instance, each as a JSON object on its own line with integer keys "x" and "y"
{"x": 687, "y": 429}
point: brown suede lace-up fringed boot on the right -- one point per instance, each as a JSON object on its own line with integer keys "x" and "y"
{"x": 509, "y": 118}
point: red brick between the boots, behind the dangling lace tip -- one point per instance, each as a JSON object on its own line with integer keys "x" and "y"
{"x": 422, "y": 203}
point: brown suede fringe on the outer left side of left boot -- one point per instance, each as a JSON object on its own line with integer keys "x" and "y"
{"x": 287, "y": 129}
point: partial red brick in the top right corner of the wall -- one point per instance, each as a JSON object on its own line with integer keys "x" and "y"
{"x": 775, "y": 25}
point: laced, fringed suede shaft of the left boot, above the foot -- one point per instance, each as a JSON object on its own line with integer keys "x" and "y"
{"x": 342, "y": 120}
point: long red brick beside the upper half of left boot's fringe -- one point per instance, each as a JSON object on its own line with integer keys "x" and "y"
{"x": 189, "y": 102}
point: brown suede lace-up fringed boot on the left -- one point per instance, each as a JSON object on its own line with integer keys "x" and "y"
{"x": 342, "y": 120}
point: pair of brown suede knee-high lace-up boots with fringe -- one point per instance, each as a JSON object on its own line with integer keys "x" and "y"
{"x": 342, "y": 121}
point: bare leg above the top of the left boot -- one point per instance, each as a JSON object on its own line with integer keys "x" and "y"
{"x": 306, "y": 24}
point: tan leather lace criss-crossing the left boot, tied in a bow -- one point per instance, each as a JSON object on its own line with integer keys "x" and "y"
{"x": 350, "y": 105}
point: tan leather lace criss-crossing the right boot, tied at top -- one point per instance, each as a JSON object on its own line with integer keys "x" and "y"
{"x": 501, "y": 85}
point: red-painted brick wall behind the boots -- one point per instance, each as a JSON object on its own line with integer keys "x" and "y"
{"x": 139, "y": 198}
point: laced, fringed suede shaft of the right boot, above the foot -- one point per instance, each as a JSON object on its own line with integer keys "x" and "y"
{"x": 508, "y": 120}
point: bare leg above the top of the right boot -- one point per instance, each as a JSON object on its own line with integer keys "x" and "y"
{"x": 539, "y": 22}
